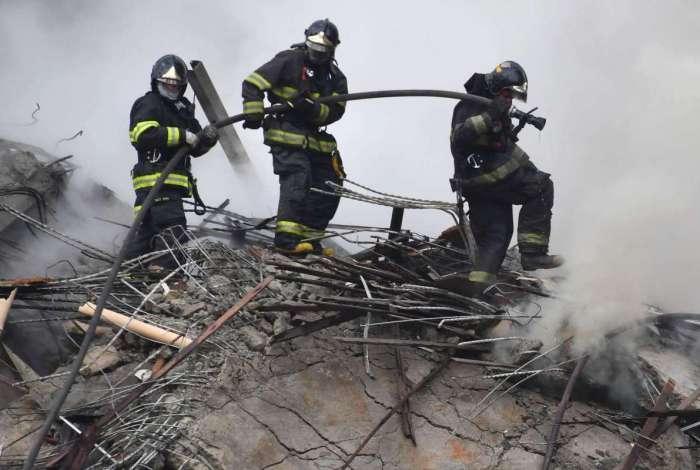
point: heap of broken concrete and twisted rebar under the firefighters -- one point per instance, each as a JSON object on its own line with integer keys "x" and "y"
{"x": 242, "y": 358}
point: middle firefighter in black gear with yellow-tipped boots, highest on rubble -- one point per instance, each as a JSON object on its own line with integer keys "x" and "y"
{"x": 304, "y": 155}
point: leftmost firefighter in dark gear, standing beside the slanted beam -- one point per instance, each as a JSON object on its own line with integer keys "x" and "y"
{"x": 161, "y": 122}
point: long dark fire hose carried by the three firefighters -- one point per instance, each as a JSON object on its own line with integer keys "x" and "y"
{"x": 60, "y": 398}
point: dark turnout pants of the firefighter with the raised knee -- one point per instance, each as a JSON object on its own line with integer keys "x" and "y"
{"x": 491, "y": 218}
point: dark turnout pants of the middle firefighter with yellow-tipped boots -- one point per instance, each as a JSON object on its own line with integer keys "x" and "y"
{"x": 302, "y": 213}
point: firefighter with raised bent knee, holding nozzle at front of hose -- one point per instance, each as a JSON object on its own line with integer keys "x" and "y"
{"x": 494, "y": 173}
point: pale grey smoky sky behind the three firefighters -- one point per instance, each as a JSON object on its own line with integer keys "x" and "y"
{"x": 618, "y": 82}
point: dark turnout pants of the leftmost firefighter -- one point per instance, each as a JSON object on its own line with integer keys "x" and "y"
{"x": 164, "y": 221}
